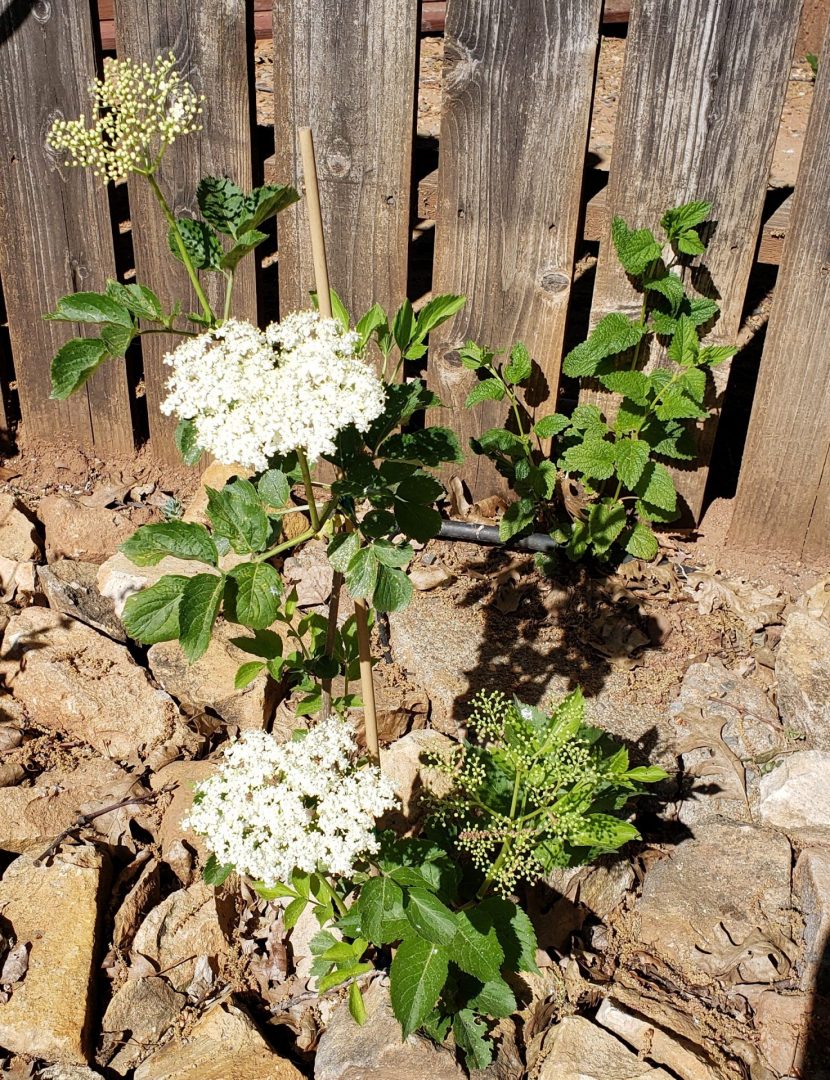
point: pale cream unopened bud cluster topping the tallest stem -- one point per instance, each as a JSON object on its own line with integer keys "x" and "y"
{"x": 139, "y": 111}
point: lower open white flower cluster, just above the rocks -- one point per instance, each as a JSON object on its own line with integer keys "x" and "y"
{"x": 274, "y": 808}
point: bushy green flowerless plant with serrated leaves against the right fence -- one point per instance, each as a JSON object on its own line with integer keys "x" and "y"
{"x": 620, "y": 460}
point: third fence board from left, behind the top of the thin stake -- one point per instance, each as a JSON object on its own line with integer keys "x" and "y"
{"x": 347, "y": 70}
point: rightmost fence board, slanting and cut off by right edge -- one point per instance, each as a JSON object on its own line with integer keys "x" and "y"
{"x": 783, "y": 502}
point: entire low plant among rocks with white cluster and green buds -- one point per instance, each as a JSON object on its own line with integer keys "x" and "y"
{"x": 533, "y": 790}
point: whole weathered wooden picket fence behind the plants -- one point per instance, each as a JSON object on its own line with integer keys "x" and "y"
{"x": 703, "y": 90}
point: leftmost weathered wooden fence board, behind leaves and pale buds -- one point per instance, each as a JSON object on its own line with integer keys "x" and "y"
{"x": 56, "y": 236}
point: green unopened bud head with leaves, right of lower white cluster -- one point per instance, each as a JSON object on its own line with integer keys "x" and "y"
{"x": 536, "y": 790}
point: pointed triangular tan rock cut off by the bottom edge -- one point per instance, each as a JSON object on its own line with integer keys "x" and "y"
{"x": 224, "y": 1045}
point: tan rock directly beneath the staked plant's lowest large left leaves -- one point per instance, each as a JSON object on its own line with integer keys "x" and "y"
{"x": 209, "y": 683}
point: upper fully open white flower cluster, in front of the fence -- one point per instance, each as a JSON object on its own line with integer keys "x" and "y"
{"x": 253, "y": 395}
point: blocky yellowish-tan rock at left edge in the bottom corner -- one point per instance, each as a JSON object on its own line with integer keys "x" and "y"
{"x": 56, "y": 908}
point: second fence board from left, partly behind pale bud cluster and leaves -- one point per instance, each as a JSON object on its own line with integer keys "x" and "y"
{"x": 211, "y": 43}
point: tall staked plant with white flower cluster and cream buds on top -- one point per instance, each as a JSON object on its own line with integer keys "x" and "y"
{"x": 274, "y": 402}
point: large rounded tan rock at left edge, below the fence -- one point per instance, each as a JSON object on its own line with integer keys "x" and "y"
{"x": 77, "y": 682}
